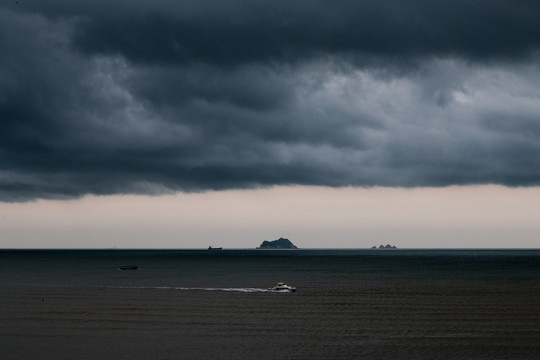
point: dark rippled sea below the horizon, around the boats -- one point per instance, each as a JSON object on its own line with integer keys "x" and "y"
{"x": 202, "y": 304}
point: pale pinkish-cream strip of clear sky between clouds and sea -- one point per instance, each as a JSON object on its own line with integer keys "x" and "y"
{"x": 312, "y": 217}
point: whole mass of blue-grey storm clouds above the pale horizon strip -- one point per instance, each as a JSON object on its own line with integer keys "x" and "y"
{"x": 165, "y": 97}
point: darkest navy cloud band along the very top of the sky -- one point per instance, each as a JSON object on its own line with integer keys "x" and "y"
{"x": 237, "y": 32}
